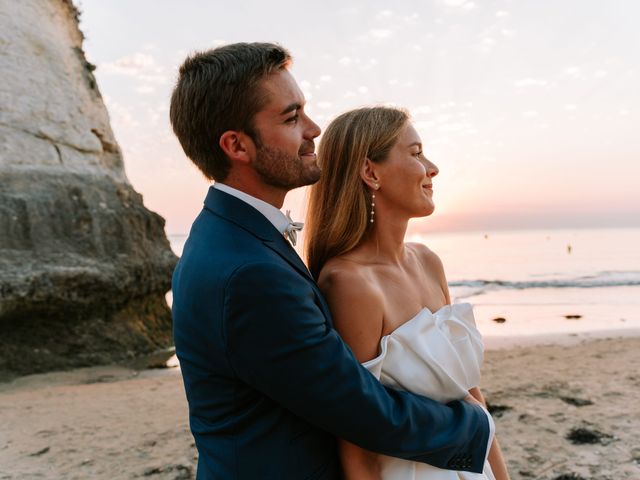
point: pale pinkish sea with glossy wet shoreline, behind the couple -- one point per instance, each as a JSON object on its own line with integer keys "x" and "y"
{"x": 540, "y": 286}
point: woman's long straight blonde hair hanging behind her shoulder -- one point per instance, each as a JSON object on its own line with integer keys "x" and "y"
{"x": 338, "y": 208}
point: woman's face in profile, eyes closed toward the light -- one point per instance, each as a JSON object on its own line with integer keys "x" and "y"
{"x": 406, "y": 177}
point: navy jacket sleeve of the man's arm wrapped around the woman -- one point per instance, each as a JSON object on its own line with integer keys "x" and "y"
{"x": 279, "y": 342}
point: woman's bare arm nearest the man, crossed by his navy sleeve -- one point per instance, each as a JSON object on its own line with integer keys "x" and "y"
{"x": 357, "y": 312}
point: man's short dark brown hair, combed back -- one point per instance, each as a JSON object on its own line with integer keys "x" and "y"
{"x": 217, "y": 90}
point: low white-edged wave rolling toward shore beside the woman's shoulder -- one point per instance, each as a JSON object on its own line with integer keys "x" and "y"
{"x": 599, "y": 280}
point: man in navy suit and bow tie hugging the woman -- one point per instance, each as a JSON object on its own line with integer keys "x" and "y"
{"x": 269, "y": 382}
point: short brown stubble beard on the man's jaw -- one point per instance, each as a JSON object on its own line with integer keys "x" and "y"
{"x": 283, "y": 170}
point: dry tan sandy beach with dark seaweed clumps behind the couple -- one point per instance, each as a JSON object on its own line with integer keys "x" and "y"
{"x": 562, "y": 412}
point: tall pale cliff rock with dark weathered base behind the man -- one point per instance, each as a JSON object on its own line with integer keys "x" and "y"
{"x": 84, "y": 266}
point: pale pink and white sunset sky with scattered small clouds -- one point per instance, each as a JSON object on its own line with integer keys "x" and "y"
{"x": 531, "y": 109}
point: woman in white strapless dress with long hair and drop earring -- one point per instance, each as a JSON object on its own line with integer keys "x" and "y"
{"x": 389, "y": 299}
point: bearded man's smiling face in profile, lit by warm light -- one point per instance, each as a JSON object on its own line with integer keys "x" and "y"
{"x": 285, "y": 152}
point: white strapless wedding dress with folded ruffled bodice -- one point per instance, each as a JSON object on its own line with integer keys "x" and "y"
{"x": 437, "y": 355}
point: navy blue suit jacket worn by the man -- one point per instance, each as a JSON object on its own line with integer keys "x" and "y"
{"x": 268, "y": 380}
